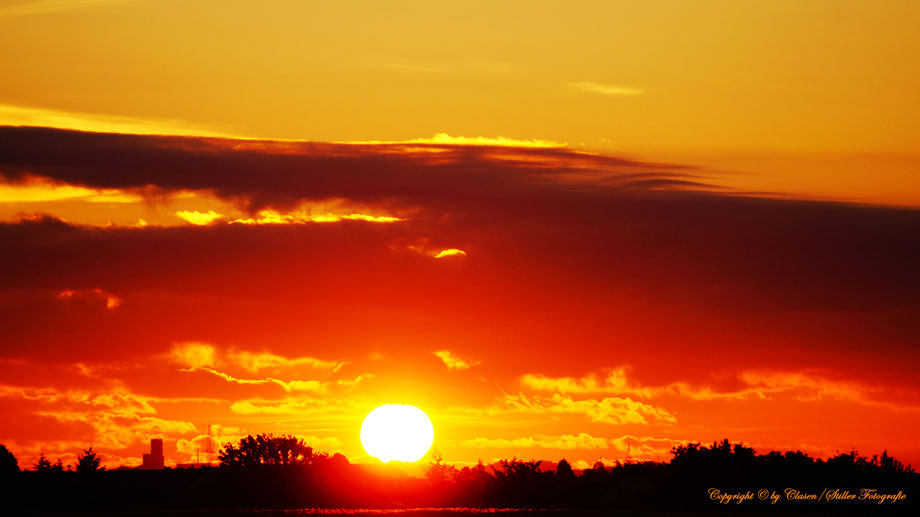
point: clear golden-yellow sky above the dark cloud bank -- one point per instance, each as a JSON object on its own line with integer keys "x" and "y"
{"x": 693, "y": 80}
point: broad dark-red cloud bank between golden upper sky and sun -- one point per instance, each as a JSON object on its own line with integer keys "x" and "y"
{"x": 572, "y": 262}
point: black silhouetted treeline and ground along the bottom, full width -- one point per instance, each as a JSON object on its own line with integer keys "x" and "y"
{"x": 267, "y": 471}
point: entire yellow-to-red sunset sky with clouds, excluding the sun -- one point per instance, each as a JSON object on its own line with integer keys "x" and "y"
{"x": 586, "y": 230}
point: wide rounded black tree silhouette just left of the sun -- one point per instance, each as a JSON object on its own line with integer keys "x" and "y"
{"x": 266, "y": 449}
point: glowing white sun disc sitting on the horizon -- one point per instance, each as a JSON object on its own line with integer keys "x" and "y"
{"x": 397, "y": 432}
